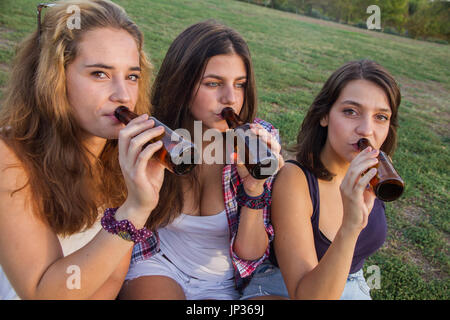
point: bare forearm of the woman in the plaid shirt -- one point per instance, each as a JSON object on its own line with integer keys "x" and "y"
{"x": 251, "y": 240}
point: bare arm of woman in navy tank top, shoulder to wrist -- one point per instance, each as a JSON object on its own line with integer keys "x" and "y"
{"x": 305, "y": 277}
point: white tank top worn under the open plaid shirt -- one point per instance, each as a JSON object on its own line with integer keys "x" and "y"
{"x": 199, "y": 246}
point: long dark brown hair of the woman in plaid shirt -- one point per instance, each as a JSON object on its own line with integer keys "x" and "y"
{"x": 173, "y": 92}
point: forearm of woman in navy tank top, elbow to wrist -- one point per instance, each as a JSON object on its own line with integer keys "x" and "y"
{"x": 327, "y": 280}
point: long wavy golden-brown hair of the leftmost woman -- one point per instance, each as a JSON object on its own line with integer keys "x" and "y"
{"x": 66, "y": 188}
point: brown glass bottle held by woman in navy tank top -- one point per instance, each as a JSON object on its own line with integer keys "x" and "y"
{"x": 387, "y": 184}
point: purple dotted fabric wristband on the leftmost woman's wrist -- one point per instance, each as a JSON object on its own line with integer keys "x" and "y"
{"x": 124, "y": 228}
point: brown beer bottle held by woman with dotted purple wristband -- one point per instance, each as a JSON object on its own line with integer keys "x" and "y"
{"x": 177, "y": 154}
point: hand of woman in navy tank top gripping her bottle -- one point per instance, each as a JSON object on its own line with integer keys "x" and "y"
{"x": 357, "y": 197}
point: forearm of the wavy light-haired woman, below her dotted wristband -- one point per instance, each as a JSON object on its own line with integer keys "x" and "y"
{"x": 90, "y": 267}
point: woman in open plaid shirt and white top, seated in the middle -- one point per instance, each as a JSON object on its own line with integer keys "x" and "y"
{"x": 205, "y": 243}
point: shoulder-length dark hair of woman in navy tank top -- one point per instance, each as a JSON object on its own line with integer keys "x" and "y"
{"x": 312, "y": 135}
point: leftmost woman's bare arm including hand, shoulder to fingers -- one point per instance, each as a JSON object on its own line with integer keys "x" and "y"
{"x": 30, "y": 252}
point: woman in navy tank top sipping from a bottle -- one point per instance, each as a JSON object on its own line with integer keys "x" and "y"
{"x": 327, "y": 220}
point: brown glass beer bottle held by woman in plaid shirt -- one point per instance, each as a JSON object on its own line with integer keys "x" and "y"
{"x": 259, "y": 160}
